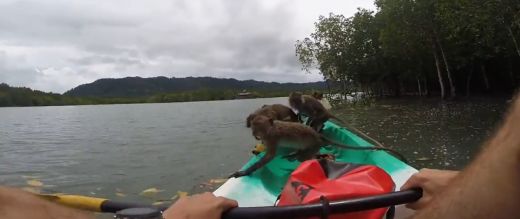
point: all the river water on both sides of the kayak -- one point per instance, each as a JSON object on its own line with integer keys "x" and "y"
{"x": 117, "y": 151}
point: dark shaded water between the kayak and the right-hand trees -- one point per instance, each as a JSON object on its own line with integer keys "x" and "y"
{"x": 429, "y": 133}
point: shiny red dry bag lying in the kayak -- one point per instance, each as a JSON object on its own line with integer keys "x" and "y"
{"x": 334, "y": 181}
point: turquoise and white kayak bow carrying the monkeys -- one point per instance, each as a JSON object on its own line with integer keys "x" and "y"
{"x": 263, "y": 187}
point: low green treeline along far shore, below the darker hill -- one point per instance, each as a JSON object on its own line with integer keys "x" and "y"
{"x": 14, "y": 96}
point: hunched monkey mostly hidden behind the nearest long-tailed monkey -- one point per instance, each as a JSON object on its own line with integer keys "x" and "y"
{"x": 275, "y": 111}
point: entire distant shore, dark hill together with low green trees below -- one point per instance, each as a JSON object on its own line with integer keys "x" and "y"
{"x": 151, "y": 90}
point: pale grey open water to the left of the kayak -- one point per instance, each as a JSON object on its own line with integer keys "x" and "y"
{"x": 101, "y": 150}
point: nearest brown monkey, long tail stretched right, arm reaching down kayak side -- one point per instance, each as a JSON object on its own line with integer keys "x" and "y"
{"x": 306, "y": 139}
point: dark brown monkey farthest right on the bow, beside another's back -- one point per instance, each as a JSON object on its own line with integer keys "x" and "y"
{"x": 311, "y": 107}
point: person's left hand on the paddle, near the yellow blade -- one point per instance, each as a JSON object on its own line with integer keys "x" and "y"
{"x": 202, "y": 206}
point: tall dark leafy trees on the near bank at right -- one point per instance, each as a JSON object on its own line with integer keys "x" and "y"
{"x": 445, "y": 47}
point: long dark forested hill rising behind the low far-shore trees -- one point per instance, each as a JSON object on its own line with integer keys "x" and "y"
{"x": 138, "y": 87}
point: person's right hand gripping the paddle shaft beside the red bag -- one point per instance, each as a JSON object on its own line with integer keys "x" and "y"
{"x": 431, "y": 181}
